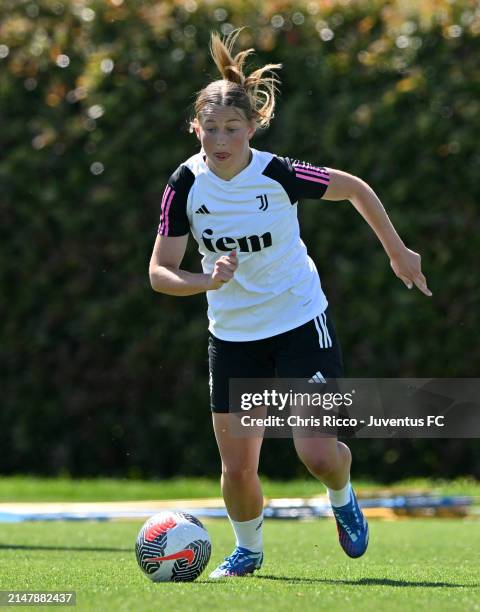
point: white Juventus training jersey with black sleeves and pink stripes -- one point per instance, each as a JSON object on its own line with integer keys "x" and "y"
{"x": 276, "y": 286}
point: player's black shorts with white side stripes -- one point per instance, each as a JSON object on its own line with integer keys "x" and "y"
{"x": 304, "y": 352}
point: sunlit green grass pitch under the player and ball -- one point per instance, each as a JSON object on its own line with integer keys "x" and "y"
{"x": 420, "y": 564}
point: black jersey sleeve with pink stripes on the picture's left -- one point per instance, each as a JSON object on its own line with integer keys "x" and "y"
{"x": 173, "y": 215}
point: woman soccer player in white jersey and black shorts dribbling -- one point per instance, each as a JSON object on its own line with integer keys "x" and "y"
{"x": 267, "y": 312}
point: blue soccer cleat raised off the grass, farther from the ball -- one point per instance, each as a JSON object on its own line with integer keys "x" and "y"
{"x": 352, "y": 527}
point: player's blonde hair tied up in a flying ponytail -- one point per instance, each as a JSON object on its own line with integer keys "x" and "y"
{"x": 254, "y": 94}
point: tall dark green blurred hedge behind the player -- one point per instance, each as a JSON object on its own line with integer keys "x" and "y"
{"x": 100, "y": 375}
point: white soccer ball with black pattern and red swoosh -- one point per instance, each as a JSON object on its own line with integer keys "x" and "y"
{"x": 173, "y": 547}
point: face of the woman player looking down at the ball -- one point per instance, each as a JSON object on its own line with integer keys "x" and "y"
{"x": 225, "y": 134}
